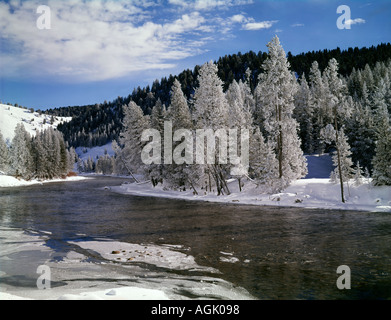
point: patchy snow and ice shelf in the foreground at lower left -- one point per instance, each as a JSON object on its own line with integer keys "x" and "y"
{"x": 76, "y": 277}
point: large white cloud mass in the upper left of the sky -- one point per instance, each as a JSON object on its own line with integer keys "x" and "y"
{"x": 95, "y": 40}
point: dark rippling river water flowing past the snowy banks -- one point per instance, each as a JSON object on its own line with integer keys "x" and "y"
{"x": 271, "y": 252}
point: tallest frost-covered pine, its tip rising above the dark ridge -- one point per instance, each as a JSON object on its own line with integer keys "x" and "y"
{"x": 276, "y": 91}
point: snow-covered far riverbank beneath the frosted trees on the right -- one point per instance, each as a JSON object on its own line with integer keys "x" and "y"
{"x": 304, "y": 193}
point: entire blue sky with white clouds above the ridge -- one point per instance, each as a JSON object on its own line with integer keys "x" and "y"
{"x": 76, "y": 52}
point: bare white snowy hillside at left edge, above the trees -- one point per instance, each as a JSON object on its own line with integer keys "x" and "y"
{"x": 10, "y": 116}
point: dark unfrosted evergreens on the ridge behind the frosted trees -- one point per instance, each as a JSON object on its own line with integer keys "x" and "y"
{"x": 95, "y": 125}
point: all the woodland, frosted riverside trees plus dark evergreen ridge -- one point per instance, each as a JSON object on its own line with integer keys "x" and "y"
{"x": 335, "y": 101}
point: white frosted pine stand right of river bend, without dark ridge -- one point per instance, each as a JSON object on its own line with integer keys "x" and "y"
{"x": 286, "y": 116}
